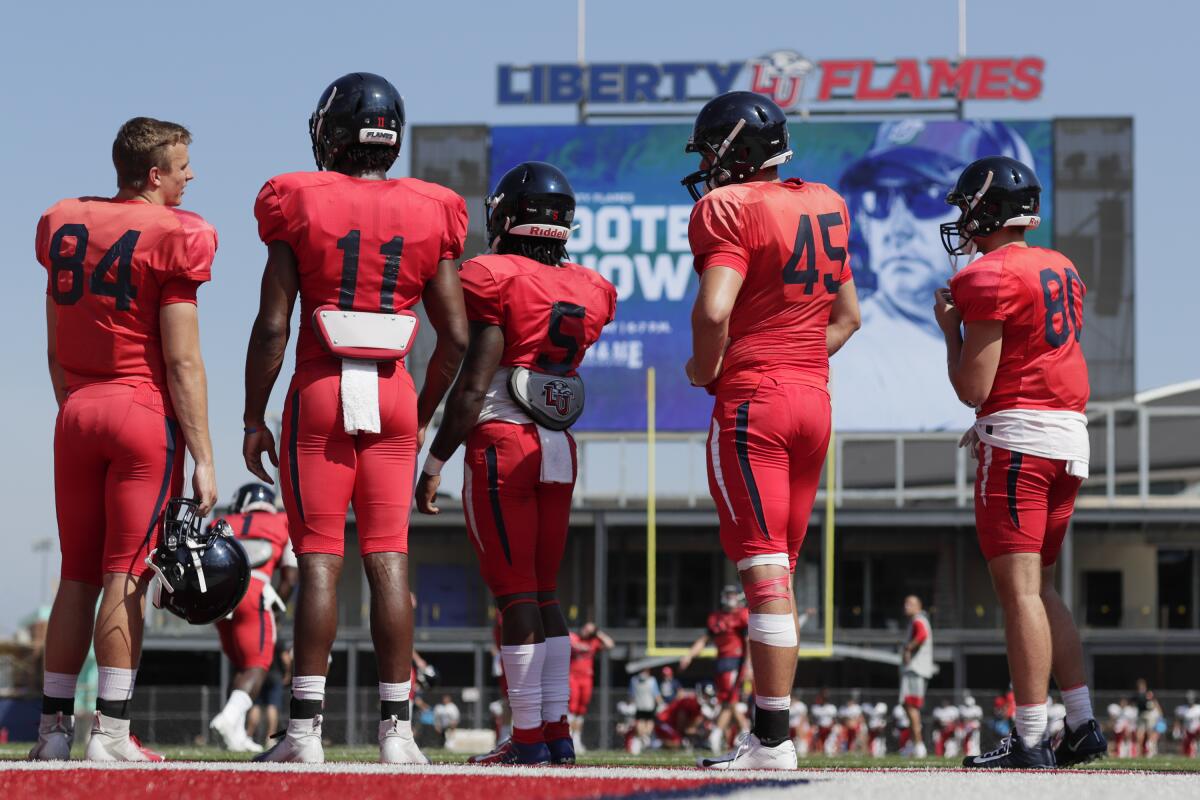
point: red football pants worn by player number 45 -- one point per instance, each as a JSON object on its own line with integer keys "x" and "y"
{"x": 766, "y": 447}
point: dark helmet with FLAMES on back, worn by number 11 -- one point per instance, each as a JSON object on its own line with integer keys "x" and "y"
{"x": 358, "y": 109}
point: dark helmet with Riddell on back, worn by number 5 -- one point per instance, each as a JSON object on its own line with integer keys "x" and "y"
{"x": 532, "y": 200}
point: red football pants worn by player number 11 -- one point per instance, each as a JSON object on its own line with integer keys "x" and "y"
{"x": 323, "y": 470}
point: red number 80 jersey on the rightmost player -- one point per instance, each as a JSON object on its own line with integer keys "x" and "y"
{"x": 1040, "y": 298}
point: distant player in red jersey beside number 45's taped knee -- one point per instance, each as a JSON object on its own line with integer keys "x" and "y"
{"x": 727, "y": 629}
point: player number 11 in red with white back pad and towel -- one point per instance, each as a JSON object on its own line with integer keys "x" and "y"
{"x": 359, "y": 250}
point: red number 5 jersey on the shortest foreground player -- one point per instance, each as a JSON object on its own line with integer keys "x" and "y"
{"x": 550, "y": 315}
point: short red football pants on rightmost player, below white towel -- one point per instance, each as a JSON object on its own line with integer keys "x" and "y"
{"x": 1023, "y": 503}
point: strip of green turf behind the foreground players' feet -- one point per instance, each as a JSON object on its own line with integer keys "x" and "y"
{"x": 621, "y": 759}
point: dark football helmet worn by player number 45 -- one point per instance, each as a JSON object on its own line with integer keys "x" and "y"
{"x": 739, "y": 134}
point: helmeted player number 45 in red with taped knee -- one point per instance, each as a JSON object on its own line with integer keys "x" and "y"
{"x": 777, "y": 299}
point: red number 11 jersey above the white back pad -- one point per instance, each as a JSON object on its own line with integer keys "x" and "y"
{"x": 362, "y": 245}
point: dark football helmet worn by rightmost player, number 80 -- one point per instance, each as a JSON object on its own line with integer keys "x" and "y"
{"x": 992, "y": 194}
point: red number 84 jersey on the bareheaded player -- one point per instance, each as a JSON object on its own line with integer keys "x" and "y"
{"x": 112, "y": 266}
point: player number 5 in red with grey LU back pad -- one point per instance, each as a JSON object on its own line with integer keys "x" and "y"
{"x": 533, "y": 316}
